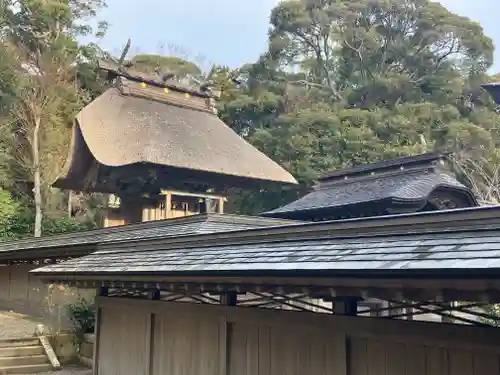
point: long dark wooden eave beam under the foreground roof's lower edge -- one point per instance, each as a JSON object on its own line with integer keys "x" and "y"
{"x": 479, "y": 290}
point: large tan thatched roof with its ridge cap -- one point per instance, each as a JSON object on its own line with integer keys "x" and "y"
{"x": 138, "y": 123}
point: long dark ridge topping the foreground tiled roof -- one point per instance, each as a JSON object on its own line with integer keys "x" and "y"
{"x": 458, "y": 220}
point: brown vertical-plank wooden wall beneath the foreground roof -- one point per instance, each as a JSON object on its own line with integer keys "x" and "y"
{"x": 185, "y": 339}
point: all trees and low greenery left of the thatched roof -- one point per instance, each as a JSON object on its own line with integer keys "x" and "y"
{"x": 40, "y": 60}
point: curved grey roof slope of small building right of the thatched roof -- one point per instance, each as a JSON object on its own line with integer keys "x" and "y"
{"x": 405, "y": 187}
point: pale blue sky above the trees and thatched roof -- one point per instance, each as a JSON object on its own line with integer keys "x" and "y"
{"x": 229, "y": 32}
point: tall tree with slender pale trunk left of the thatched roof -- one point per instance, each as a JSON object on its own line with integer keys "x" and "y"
{"x": 42, "y": 55}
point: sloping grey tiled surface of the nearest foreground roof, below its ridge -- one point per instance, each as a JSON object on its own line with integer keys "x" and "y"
{"x": 479, "y": 249}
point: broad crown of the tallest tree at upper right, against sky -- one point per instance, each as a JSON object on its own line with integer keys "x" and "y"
{"x": 341, "y": 44}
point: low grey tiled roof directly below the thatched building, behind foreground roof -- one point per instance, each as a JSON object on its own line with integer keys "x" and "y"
{"x": 163, "y": 228}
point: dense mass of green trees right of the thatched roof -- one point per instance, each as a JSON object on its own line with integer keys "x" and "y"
{"x": 352, "y": 82}
